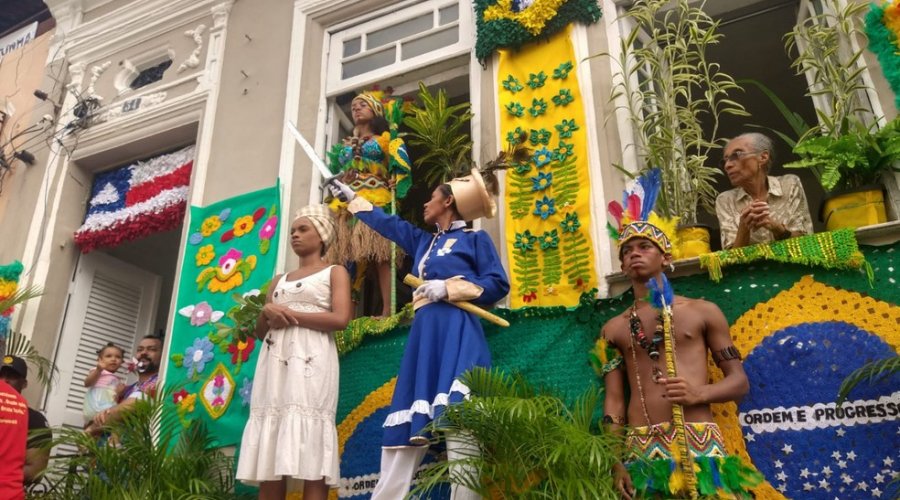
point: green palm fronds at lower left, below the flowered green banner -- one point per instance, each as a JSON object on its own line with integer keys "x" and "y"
{"x": 157, "y": 458}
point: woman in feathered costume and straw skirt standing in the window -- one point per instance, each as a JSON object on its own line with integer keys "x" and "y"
{"x": 374, "y": 163}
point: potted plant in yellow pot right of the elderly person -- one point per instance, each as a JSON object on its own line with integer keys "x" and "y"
{"x": 847, "y": 152}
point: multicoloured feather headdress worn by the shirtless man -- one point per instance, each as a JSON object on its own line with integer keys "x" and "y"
{"x": 634, "y": 216}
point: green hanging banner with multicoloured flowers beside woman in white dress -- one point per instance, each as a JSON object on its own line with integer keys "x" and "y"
{"x": 230, "y": 253}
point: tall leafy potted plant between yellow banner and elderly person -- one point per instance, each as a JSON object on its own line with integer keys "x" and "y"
{"x": 669, "y": 86}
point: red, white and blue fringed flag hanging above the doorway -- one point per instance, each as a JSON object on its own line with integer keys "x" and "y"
{"x": 137, "y": 200}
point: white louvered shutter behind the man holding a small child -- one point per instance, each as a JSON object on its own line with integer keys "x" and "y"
{"x": 110, "y": 301}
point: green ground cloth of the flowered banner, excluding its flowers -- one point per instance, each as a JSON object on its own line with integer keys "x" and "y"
{"x": 226, "y": 422}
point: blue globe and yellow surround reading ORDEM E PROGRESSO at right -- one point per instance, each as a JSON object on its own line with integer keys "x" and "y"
{"x": 799, "y": 346}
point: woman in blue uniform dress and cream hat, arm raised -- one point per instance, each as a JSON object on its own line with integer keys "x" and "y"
{"x": 444, "y": 341}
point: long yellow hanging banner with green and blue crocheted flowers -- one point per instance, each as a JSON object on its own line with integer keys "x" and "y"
{"x": 547, "y": 198}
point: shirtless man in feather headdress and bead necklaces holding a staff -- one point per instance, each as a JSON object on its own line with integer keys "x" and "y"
{"x": 673, "y": 446}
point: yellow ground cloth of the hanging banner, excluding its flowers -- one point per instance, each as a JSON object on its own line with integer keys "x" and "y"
{"x": 545, "y": 56}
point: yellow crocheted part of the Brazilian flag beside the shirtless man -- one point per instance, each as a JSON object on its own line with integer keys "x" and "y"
{"x": 807, "y": 301}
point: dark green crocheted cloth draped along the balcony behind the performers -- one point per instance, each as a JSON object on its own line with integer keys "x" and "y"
{"x": 550, "y": 345}
